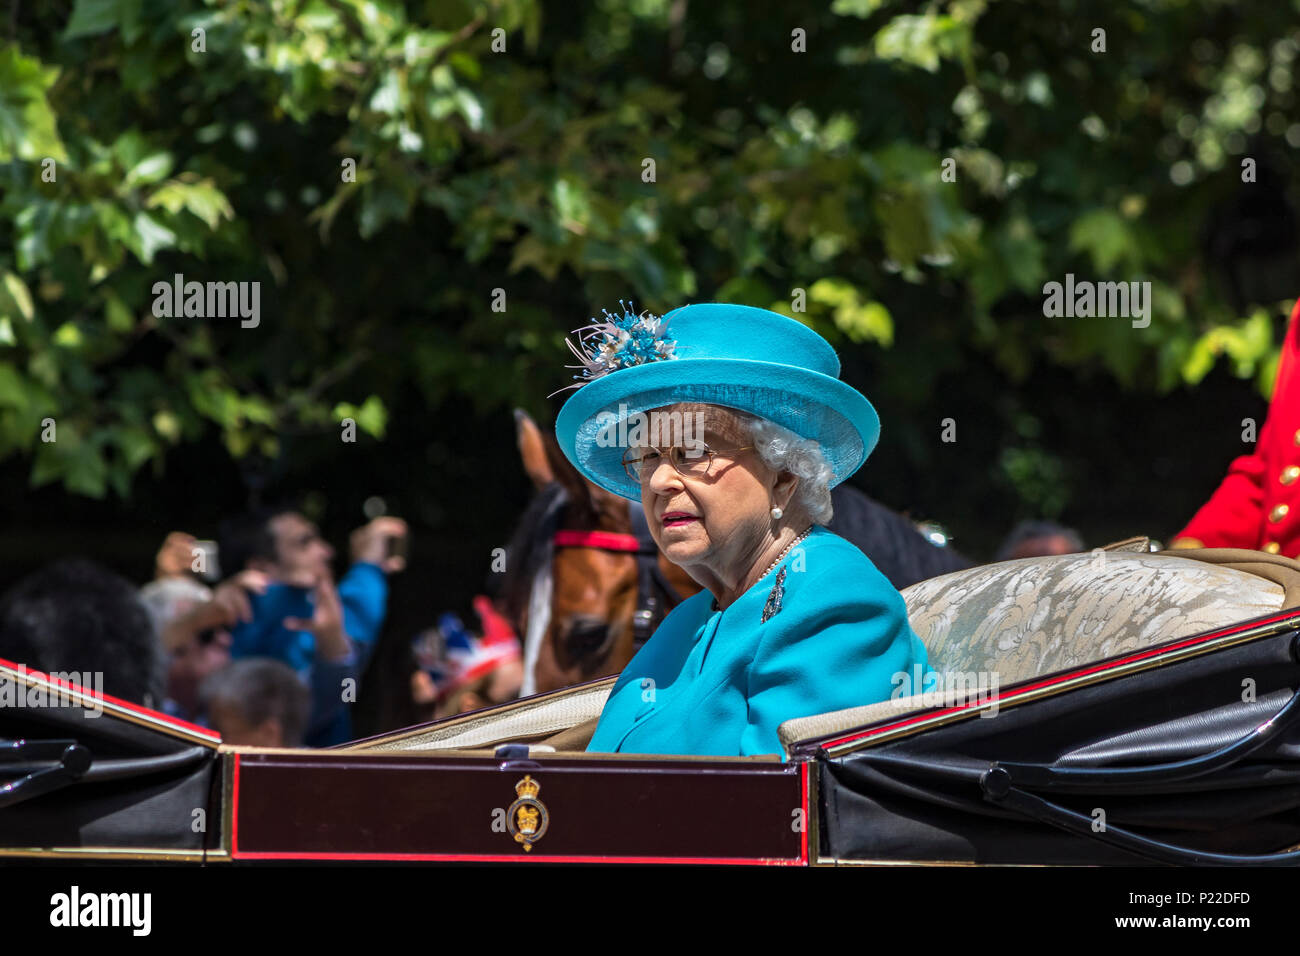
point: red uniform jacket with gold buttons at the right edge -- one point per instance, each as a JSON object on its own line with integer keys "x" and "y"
{"x": 1259, "y": 504}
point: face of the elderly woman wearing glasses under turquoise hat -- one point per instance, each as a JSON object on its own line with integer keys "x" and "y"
{"x": 721, "y": 521}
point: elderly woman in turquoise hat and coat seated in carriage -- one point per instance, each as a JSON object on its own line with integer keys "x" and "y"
{"x": 792, "y": 618}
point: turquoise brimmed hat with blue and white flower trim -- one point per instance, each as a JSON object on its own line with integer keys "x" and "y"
{"x": 738, "y": 357}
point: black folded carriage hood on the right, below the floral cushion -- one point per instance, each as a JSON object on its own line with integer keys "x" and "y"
{"x": 1188, "y": 754}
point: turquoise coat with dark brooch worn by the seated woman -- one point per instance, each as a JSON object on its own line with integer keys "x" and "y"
{"x": 722, "y": 682}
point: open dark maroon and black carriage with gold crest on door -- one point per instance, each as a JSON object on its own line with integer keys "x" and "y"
{"x": 1110, "y": 708}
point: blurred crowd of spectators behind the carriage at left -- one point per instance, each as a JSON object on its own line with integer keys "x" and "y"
{"x": 250, "y": 635}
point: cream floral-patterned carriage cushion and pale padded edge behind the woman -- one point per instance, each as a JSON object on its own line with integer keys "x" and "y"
{"x": 1020, "y": 620}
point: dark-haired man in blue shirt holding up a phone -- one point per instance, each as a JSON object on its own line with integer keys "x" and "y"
{"x": 324, "y": 631}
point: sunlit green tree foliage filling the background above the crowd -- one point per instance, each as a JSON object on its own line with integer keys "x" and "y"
{"x": 506, "y": 146}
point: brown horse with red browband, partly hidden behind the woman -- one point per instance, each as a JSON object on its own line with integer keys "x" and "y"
{"x": 587, "y": 586}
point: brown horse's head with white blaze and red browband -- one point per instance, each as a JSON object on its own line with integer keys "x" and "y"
{"x": 575, "y": 604}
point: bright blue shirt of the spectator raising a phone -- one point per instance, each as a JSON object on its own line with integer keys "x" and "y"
{"x": 363, "y": 594}
